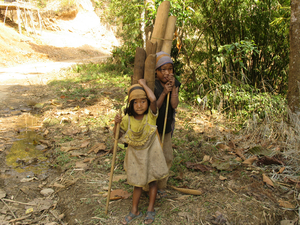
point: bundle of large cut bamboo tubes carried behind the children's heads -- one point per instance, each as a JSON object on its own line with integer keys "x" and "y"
{"x": 161, "y": 40}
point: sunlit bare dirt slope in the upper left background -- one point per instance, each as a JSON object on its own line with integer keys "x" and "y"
{"x": 76, "y": 35}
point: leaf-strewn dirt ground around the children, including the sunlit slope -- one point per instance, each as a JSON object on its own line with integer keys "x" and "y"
{"x": 37, "y": 186}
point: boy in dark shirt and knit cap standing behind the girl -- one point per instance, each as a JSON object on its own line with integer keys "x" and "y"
{"x": 165, "y": 84}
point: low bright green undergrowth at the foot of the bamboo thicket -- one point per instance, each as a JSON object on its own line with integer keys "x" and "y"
{"x": 240, "y": 102}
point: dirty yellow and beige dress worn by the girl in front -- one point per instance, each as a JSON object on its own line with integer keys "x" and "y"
{"x": 144, "y": 161}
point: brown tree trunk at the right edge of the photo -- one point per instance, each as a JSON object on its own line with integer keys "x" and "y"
{"x": 294, "y": 74}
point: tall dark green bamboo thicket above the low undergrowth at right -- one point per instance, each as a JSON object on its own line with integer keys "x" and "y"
{"x": 230, "y": 24}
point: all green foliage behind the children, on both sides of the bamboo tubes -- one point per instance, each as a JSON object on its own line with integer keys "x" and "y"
{"x": 235, "y": 52}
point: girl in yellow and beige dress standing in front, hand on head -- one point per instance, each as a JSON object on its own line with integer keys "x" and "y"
{"x": 144, "y": 161}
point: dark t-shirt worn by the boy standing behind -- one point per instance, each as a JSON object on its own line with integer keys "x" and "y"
{"x": 162, "y": 111}
